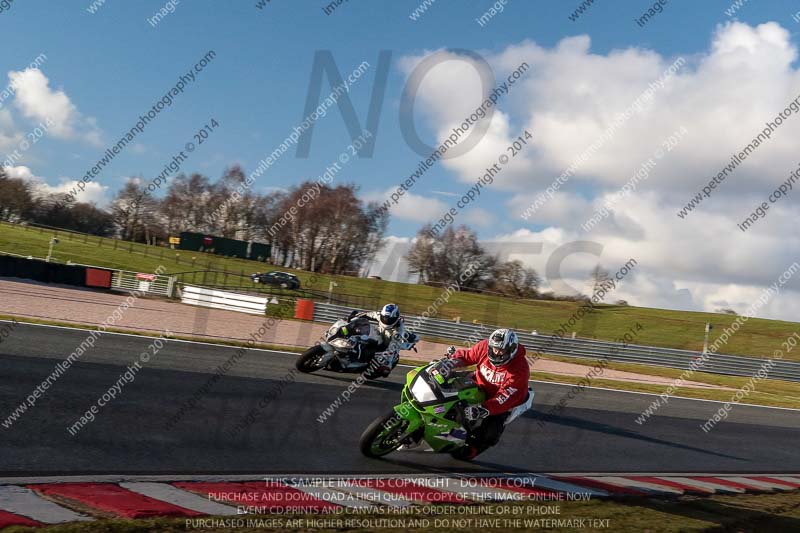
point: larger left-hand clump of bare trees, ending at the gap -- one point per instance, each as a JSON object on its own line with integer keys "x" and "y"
{"x": 336, "y": 233}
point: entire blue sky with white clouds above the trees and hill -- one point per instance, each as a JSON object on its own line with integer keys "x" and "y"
{"x": 731, "y": 73}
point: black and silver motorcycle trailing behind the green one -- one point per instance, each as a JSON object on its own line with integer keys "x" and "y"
{"x": 354, "y": 346}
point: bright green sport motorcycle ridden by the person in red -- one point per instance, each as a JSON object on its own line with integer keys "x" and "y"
{"x": 431, "y": 411}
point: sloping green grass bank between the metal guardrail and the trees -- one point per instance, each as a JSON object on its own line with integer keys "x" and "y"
{"x": 673, "y": 329}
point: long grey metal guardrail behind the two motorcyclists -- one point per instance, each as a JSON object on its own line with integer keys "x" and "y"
{"x": 732, "y": 365}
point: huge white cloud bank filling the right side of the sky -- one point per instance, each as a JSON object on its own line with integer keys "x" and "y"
{"x": 569, "y": 97}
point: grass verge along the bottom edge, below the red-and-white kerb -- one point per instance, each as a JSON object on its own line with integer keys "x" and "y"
{"x": 741, "y": 513}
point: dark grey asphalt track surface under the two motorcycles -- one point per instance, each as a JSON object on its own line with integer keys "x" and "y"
{"x": 596, "y": 432}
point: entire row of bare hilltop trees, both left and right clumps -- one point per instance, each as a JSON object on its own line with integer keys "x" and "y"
{"x": 332, "y": 231}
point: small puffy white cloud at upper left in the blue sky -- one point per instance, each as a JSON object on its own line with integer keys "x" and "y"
{"x": 39, "y": 102}
